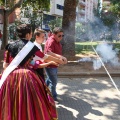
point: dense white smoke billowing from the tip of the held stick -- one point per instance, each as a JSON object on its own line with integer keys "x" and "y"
{"x": 106, "y": 53}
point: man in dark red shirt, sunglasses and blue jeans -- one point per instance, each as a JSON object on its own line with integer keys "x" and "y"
{"x": 53, "y": 47}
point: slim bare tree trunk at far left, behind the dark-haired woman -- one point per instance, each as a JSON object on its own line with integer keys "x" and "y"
{"x": 5, "y": 30}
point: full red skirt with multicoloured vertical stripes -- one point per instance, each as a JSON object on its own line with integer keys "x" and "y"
{"x": 25, "y": 96}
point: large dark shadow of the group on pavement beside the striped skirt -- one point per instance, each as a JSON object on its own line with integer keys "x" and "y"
{"x": 75, "y": 109}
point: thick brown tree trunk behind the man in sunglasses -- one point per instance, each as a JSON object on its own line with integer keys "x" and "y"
{"x": 68, "y": 25}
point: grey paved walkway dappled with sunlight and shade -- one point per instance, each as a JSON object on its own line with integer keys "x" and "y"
{"x": 88, "y": 99}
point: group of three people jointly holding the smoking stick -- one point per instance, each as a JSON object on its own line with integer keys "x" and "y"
{"x": 25, "y": 94}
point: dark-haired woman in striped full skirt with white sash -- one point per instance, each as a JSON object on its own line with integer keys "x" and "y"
{"x": 23, "y": 94}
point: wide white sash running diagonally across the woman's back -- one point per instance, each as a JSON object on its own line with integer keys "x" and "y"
{"x": 16, "y": 61}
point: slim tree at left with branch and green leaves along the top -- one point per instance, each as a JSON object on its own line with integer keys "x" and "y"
{"x": 10, "y": 6}
